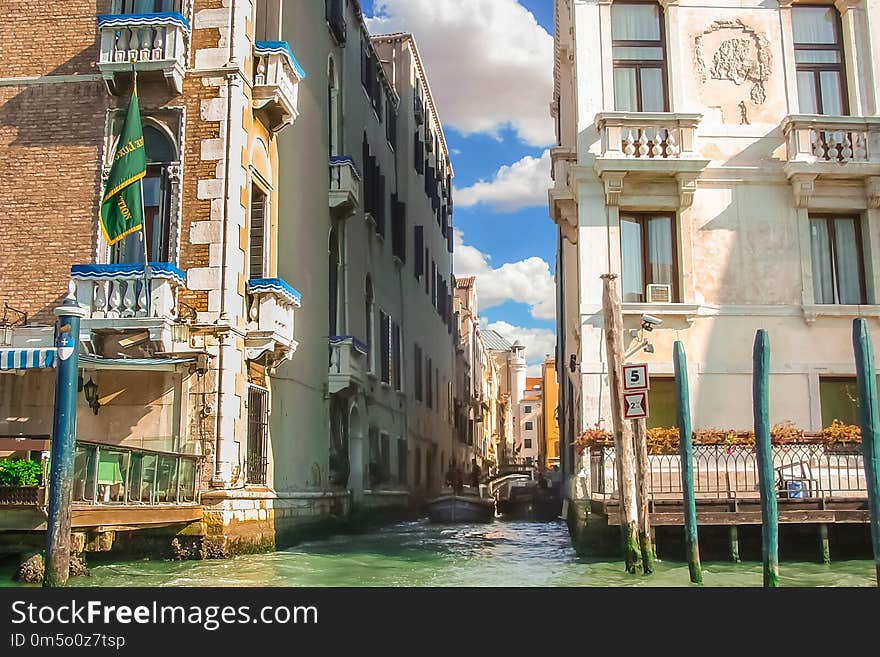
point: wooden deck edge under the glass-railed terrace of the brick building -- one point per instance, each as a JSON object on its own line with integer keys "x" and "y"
{"x": 101, "y": 517}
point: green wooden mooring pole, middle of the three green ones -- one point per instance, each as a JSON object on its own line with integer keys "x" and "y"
{"x": 764, "y": 452}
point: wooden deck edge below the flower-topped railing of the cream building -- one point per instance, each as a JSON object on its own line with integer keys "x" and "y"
{"x": 729, "y": 512}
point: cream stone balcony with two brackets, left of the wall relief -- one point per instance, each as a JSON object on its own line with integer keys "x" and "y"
{"x": 649, "y": 145}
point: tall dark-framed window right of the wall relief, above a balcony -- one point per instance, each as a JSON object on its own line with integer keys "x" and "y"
{"x": 818, "y": 57}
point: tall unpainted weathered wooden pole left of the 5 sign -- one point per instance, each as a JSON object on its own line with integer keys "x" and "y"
{"x": 623, "y": 441}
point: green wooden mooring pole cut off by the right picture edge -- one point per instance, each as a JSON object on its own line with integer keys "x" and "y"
{"x": 870, "y": 422}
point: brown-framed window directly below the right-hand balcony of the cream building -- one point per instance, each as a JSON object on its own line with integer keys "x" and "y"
{"x": 838, "y": 265}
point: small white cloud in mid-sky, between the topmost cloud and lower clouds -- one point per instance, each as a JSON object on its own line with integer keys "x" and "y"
{"x": 522, "y": 184}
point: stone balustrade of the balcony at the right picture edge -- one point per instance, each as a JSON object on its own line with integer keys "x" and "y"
{"x": 832, "y": 139}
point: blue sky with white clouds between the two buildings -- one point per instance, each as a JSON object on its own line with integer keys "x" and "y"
{"x": 489, "y": 64}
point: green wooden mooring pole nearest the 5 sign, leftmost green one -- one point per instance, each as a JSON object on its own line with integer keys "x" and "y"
{"x": 686, "y": 451}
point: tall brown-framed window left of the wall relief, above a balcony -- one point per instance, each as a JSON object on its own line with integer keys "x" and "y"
{"x": 639, "y": 54}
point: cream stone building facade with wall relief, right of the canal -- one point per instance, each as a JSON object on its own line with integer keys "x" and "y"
{"x": 723, "y": 161}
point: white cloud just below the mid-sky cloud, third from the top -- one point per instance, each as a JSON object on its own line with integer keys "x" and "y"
{"x": 527, "y": 281}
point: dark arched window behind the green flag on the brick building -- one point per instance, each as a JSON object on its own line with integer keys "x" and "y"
{"x": 161, "y": 156}
